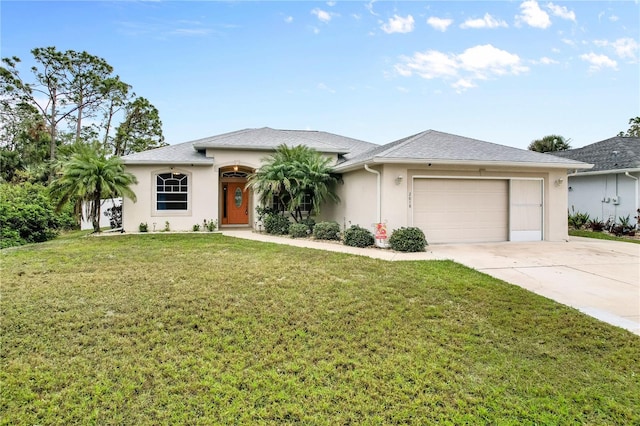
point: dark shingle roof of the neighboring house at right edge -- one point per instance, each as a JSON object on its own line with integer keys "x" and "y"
{"x": 617, "y": 153}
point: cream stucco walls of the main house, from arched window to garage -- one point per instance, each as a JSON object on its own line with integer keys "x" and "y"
{"x": 358, "y": 193}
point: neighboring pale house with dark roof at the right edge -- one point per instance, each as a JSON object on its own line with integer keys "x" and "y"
{"x": 610, "y": 189}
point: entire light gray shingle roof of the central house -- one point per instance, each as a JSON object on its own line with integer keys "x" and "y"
{"x": 428, "y": 146}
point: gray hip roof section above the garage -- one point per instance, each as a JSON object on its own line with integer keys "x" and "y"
{"x": 445, "y": 148}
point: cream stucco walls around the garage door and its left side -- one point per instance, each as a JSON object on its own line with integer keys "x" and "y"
{"x": 359, "y": 205}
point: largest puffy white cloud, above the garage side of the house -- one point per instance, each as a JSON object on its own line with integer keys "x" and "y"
{"x": 480, "y": 62}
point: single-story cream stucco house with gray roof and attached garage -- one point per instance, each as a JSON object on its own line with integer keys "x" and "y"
{"x": 454, "y": 188}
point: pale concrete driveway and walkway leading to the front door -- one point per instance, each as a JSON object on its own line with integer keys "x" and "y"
{"x": 600, "y": 278}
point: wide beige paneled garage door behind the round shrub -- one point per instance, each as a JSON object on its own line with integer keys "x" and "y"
{"x": 461, "y": 210}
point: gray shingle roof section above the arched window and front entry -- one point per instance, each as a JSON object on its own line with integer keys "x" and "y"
{"x": 263, "y": 139}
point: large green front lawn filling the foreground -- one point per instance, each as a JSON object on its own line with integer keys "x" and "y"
{"x": 205, "y": 329}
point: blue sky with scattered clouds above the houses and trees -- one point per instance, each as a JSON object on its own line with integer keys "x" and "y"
{"x": 506, "y": 72}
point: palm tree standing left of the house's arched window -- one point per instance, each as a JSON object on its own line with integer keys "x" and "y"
{"x": 89, "y": 176}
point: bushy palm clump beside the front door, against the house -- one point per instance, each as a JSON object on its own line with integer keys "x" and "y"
{"x": 292, "y": 174}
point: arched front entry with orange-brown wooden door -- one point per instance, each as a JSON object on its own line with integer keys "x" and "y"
{"x": 235, "y": 199}
